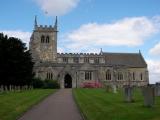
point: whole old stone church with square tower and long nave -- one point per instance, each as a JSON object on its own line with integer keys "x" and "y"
{"x": 72, "y": 70}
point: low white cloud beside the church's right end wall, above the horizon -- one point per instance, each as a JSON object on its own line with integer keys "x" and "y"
{"x": 154, "y": 70}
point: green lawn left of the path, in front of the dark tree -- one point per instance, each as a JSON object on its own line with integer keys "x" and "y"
{"x": 14, "y": 104}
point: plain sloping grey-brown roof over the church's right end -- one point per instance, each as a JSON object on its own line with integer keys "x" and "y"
{"x": 126, "y": 59}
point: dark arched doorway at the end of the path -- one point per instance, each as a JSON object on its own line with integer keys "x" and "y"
{"x": 67, "y": 81}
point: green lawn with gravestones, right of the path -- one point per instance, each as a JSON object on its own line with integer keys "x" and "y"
{"x": 97, "y": 104}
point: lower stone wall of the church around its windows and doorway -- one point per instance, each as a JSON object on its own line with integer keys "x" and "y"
{"x": 77, "y": 72}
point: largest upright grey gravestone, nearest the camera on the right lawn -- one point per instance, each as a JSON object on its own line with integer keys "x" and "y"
{"x": 149, "y": 95}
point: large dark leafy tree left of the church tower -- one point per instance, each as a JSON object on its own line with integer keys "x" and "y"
{"x": 15, "y": 62}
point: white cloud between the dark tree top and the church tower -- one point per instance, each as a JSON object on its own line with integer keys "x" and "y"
{"x": 24, "y": 36}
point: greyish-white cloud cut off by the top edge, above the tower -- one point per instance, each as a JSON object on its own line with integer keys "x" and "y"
{"x": 57, "y": 7}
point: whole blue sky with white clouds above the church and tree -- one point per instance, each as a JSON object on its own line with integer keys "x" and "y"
{"x": 88, "y": 25}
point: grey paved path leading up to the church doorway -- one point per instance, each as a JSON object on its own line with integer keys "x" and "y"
{"x": 58, "y": 106}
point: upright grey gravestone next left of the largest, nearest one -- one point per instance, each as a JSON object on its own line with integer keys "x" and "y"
{"x": 128, "y": 93}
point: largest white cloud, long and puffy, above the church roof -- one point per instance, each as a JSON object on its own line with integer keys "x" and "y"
{"x": 126, "y": 32}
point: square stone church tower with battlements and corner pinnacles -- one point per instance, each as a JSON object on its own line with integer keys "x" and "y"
{"x": 43, "y": 42}
